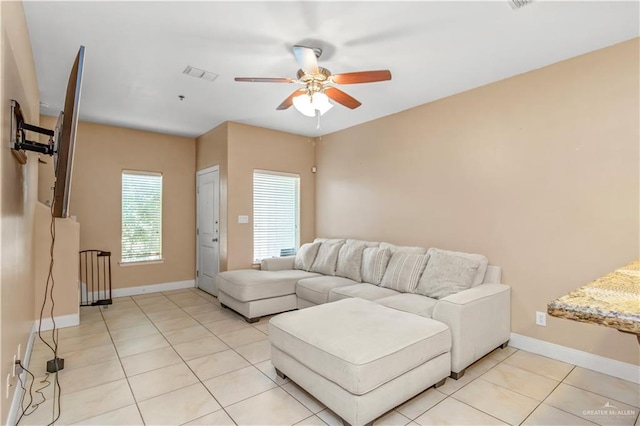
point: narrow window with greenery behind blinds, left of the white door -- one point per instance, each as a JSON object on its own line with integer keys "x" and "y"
{"x": 141, "y": 216}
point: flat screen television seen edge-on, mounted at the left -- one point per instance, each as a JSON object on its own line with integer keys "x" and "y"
{"x": 65, "y": 138}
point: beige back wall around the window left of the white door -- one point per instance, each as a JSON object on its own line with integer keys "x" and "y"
{"x": 102, "y": 153}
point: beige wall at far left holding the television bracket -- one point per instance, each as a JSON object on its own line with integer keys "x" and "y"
{"x": 18, "y": 193}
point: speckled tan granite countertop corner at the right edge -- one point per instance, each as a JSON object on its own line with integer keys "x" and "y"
{"x": 612, "y": 300}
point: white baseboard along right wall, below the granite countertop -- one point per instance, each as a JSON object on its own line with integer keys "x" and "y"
{"x": 587, "y": 360}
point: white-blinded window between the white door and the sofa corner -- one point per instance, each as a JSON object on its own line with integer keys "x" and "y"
{"x": 276, "y": 206}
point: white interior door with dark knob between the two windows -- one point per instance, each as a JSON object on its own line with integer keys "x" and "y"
{"x": 208, "y": 237}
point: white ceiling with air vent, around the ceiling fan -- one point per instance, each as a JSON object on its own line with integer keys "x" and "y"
{"x": 136, "y": 52}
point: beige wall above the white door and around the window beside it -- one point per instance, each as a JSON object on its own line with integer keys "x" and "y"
{"x": 239, "y": 150}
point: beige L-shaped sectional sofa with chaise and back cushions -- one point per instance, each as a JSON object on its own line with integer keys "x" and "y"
{"x": 457, "y": 289}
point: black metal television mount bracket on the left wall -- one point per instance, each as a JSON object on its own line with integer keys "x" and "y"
{"x": 18, "y": 137}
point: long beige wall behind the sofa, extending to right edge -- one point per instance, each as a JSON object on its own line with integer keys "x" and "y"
{"x": 539, "y": 172}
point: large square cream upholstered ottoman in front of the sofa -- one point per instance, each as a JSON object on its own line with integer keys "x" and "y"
{"x": 359, "y": 358}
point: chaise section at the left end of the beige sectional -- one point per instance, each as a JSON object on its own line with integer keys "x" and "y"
{"x": 254, "y": 293}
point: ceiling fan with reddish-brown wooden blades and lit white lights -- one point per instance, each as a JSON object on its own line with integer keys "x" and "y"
{"x": 318, "y": 84}
